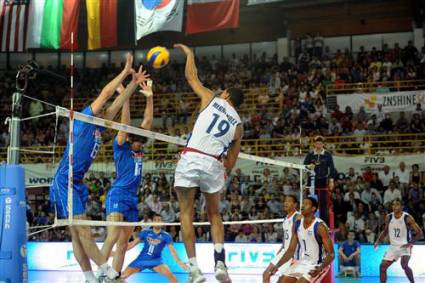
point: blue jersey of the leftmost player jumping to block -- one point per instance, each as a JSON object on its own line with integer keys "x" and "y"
{"x": 87, "y": 140}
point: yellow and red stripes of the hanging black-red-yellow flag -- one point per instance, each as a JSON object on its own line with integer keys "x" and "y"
{"x": 102, "y": 23}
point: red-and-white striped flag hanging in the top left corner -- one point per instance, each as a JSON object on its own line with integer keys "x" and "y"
{"x": 13, "y": 25}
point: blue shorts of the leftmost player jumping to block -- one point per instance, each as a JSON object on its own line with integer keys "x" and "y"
{"x": 59, "y": 196}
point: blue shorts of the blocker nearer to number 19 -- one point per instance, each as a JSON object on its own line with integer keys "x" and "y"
{"x": 124, "y": 202}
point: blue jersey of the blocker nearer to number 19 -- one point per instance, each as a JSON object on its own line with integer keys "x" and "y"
{"x": 128, "y": 166}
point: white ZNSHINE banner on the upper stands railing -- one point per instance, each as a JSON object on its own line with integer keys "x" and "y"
{"x": 391, "y": 101}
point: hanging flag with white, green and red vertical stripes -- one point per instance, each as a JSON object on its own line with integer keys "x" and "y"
{"x": 51, "y": 23}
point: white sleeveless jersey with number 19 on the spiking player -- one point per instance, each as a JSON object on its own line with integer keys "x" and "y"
{"x": 214, "y": 128}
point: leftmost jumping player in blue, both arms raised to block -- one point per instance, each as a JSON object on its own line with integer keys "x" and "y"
{"x": 87, "y": 141}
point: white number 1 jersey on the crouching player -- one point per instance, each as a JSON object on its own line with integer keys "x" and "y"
{"x": 311, "y": 248}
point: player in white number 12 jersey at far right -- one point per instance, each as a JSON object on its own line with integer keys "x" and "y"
{"x": 398, "y": 226}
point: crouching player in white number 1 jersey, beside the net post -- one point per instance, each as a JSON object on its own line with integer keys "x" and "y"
{"x": 313, "y": 236}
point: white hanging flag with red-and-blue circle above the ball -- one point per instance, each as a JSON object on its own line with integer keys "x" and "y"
{"x": 158, "y": 15}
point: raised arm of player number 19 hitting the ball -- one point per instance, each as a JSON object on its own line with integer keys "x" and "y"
{"x": 191, "y": 74}
